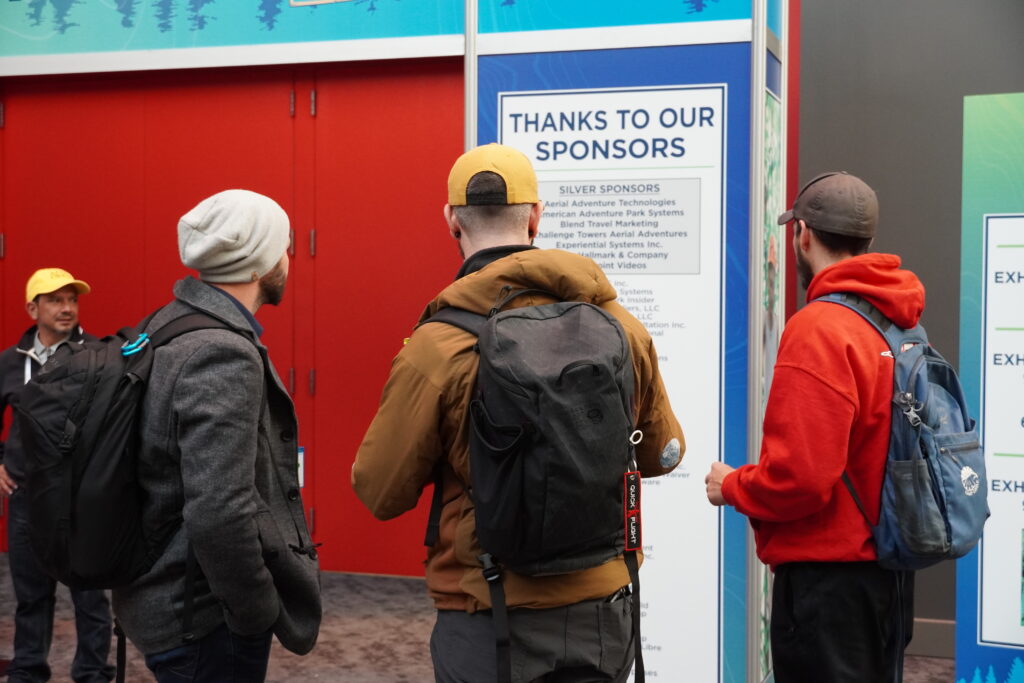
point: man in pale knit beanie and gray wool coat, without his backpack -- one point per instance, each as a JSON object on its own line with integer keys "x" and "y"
{"x": 220, "y": 460}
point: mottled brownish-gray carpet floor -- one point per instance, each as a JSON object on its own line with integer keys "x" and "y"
{"x": 376, "y": 630}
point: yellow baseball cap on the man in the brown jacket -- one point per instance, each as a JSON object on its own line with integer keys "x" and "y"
{"x": 510, "y": 164}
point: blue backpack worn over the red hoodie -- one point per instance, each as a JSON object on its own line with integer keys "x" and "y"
{"x": 934, "y": 493}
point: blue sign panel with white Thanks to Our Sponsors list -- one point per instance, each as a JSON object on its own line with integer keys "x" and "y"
{"x": 644, "y": 163}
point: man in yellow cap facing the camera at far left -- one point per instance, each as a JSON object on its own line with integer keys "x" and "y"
{"x": 52, "y": 301}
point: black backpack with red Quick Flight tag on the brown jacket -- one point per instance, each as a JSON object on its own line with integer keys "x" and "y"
{"x": 551, "y": 447}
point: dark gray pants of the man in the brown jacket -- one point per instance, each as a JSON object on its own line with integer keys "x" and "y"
{"x": 588, "y": 643}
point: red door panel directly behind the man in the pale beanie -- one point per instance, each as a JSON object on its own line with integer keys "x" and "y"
{"x": 207, "y": 133}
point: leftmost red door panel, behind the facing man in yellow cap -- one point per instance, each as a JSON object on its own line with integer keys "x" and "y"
{"x": 74, "y": 197}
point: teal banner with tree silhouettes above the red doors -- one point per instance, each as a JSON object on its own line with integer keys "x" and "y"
{"x": 62, "y": 27}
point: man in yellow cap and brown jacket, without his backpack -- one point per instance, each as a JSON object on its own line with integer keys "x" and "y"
{"x": 577, "y": 625}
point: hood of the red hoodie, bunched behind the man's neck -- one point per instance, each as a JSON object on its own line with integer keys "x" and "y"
{"x": 879, "y": 279}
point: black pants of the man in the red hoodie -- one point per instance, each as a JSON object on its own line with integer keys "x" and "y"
{"x": 840, "y": 623}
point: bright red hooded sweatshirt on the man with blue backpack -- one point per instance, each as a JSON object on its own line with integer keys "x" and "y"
{"x": 829, "y": 411}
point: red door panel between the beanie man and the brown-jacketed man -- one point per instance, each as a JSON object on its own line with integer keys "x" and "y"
{"x": 387, "y": 137}
